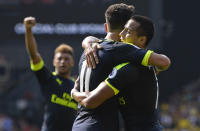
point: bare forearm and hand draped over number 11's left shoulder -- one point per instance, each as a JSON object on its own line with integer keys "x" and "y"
{"x": 91, "y": 46}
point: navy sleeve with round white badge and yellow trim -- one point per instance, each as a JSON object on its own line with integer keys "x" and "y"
{"x": 121, "y": 77}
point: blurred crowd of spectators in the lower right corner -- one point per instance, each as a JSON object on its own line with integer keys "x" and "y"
{"x": 182, "y": 111}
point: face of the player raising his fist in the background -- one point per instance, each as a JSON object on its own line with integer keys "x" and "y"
{"x": 63, "y": 62}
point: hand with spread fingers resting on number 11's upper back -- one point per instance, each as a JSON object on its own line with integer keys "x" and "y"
{"x": 91, "y": 54}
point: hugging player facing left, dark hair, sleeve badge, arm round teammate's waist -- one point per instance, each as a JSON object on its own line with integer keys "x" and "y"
{"x": 136, "y": 85}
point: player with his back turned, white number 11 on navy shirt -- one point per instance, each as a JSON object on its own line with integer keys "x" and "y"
{"x": 105, "y": 117}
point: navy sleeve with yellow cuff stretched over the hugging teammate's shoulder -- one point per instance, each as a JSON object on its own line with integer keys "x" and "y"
{"x": 131, "y": 53}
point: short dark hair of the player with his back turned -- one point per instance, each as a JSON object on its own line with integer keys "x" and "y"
{"x": 117, "y": 15}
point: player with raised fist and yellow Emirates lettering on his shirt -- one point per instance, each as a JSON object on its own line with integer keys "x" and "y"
{"x": 60, "y": 109}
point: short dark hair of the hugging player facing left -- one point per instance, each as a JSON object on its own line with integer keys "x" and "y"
{"x": 145, "y": 28}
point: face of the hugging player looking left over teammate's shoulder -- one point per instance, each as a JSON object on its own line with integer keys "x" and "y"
{"x": 129, "y": 33}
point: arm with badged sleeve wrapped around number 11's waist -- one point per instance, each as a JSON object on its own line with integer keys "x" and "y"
{"x": 107, "y": 89}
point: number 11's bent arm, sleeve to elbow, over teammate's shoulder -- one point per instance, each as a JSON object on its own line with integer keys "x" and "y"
{"x": 137, "y": 55}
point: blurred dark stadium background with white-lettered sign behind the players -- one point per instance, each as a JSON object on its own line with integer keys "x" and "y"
{"x": 69, "y": 21}
